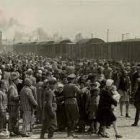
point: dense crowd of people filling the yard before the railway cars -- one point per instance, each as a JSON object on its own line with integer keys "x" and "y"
{"x": 65, "y": 95}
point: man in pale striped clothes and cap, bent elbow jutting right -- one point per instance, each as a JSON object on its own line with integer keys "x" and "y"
{"x": 27, "y": 102}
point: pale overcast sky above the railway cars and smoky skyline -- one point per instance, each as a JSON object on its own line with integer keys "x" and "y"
{"x": 69, "y": 17}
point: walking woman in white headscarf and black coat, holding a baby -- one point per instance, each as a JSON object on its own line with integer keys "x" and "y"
{"x": 105, "y": 115}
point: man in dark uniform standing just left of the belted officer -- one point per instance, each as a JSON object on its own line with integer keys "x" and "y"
{"x": 50, "y": 107}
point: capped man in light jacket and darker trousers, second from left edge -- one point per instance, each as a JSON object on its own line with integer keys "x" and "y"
{"x": 13, "y": 104}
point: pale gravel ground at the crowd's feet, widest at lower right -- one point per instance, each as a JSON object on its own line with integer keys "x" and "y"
{"x": 123, "y": 123}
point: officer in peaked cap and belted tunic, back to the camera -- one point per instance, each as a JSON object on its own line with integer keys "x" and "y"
{"x": 70, "y": 92}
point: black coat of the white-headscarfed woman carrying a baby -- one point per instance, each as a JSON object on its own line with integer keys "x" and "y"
{"x": 105, "y": 115}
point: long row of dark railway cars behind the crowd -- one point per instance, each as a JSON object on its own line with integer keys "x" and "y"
{"x": 89, "y": 48}
